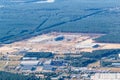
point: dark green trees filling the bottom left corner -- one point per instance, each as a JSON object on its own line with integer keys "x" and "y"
{"x": 12, "y": 76}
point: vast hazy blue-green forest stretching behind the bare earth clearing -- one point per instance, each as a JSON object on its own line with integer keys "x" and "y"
{"x": 26, "y": 18}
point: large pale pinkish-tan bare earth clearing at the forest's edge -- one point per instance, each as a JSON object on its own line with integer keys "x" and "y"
{"x": 73, "y": 42}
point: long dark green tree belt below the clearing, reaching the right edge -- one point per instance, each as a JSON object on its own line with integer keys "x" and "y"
{"x": 90, "y": 57}
